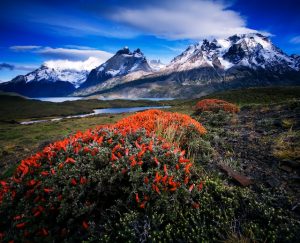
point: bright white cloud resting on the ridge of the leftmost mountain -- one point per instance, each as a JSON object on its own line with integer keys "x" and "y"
{"x": 88, "y": 64}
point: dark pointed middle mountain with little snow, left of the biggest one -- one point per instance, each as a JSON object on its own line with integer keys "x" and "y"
{"x": 122, "y": 63}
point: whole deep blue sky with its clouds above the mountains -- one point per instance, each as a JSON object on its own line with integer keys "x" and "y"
{"x": 35, "y": 31}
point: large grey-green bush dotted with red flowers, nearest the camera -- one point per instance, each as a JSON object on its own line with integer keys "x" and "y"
{"x": 70, "y": 189}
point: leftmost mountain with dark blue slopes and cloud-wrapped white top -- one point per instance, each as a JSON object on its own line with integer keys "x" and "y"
{"x": 53, "y": 78}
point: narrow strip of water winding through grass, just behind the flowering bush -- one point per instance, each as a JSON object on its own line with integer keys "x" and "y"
{"x": 99, "y": 111}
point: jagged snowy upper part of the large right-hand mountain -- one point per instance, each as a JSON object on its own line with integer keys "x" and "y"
{"x": 253, "y": 50}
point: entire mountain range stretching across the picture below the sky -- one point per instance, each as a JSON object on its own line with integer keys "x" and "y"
{"x": 244, "y": 60}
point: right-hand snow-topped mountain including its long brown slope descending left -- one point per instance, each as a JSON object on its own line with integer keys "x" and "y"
{"x": 239, "y": 61}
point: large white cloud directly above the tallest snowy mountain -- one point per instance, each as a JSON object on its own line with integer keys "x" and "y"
{"x": 188, "y": 19}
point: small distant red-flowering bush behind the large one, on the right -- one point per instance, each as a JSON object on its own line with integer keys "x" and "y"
{"x": 215, "y": 105}
